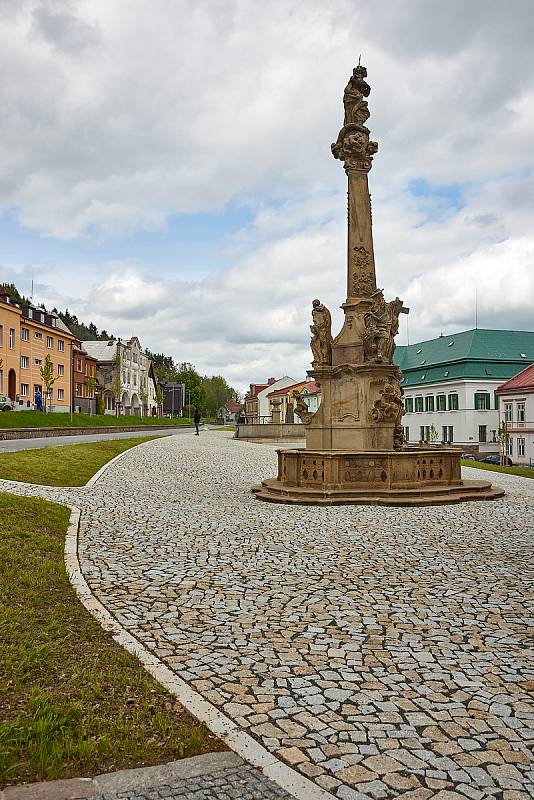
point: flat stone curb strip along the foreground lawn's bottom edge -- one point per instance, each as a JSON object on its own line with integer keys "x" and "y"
{"x": 126, "y": 780}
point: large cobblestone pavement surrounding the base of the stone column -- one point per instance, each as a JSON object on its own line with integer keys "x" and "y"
{"x": 379, "y": 651}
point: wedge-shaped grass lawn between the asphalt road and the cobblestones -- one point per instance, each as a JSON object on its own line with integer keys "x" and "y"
{"x": 67, "y": 465}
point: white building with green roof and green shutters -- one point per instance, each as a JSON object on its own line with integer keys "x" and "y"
{"x": 450, "y": 385}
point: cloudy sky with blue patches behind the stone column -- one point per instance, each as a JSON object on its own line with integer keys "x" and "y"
{"x": 166, "y": 167}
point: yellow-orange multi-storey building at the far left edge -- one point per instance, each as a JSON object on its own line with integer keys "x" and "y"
{"x": 27, "y": 335}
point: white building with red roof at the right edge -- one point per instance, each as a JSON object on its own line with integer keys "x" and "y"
{"x": 516, "y": 408}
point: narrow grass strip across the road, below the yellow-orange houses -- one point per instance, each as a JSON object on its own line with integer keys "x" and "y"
{"x": 36, "y": 419}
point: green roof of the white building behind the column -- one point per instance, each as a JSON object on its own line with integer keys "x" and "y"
{"x": 493, "y": 355}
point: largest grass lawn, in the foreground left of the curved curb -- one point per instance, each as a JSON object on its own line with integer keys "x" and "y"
{"x": 72, "y": 701}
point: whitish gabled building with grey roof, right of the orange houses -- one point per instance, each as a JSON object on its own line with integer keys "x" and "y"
{"x": 123, "y": 376}
